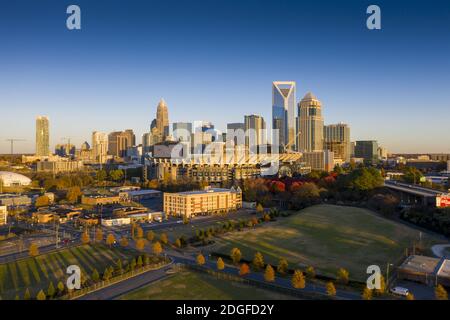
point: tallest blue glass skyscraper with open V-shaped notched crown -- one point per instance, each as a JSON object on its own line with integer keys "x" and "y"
{"x": 283, "y": 113}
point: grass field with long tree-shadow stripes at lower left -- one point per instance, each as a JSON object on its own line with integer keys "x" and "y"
{"x": 36, "y": 273}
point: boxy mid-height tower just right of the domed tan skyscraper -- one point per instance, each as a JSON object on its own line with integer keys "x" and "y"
{"x": 337, "y": 139}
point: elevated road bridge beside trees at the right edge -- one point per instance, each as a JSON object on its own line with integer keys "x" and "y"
{"x": 413, "y": 194}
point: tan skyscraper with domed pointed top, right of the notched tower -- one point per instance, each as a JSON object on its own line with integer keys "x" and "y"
{"x": 310, "y": 124}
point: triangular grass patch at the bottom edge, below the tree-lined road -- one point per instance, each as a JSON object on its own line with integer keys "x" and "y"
{"x": 188, "y": 285}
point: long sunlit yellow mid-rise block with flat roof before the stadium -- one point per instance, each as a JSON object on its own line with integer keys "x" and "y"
{"x": 205, "y": 202}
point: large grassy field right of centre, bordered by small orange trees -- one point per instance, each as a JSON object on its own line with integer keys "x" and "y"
{"x": 328, "y": 237}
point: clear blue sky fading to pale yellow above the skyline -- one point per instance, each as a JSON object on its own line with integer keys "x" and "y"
{"x": 215, "y": 60}
